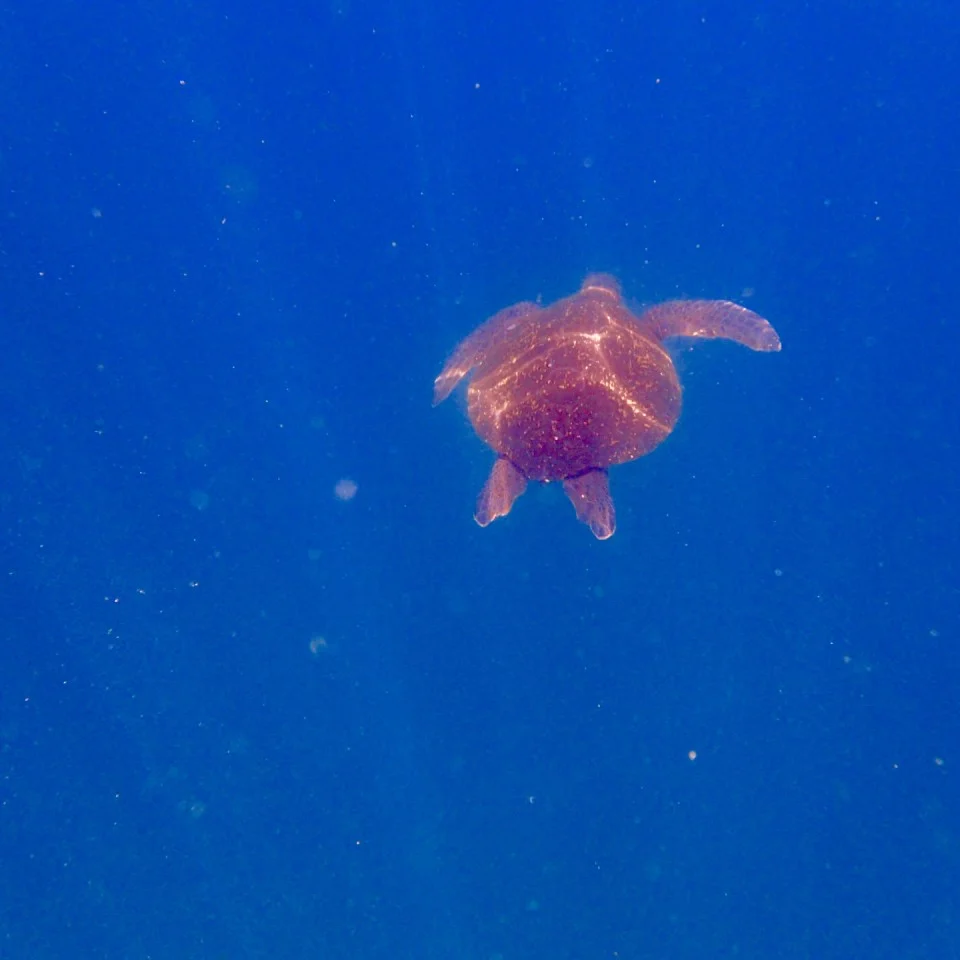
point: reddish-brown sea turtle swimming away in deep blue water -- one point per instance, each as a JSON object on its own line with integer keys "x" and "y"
{"x": 565, "y": 391}
